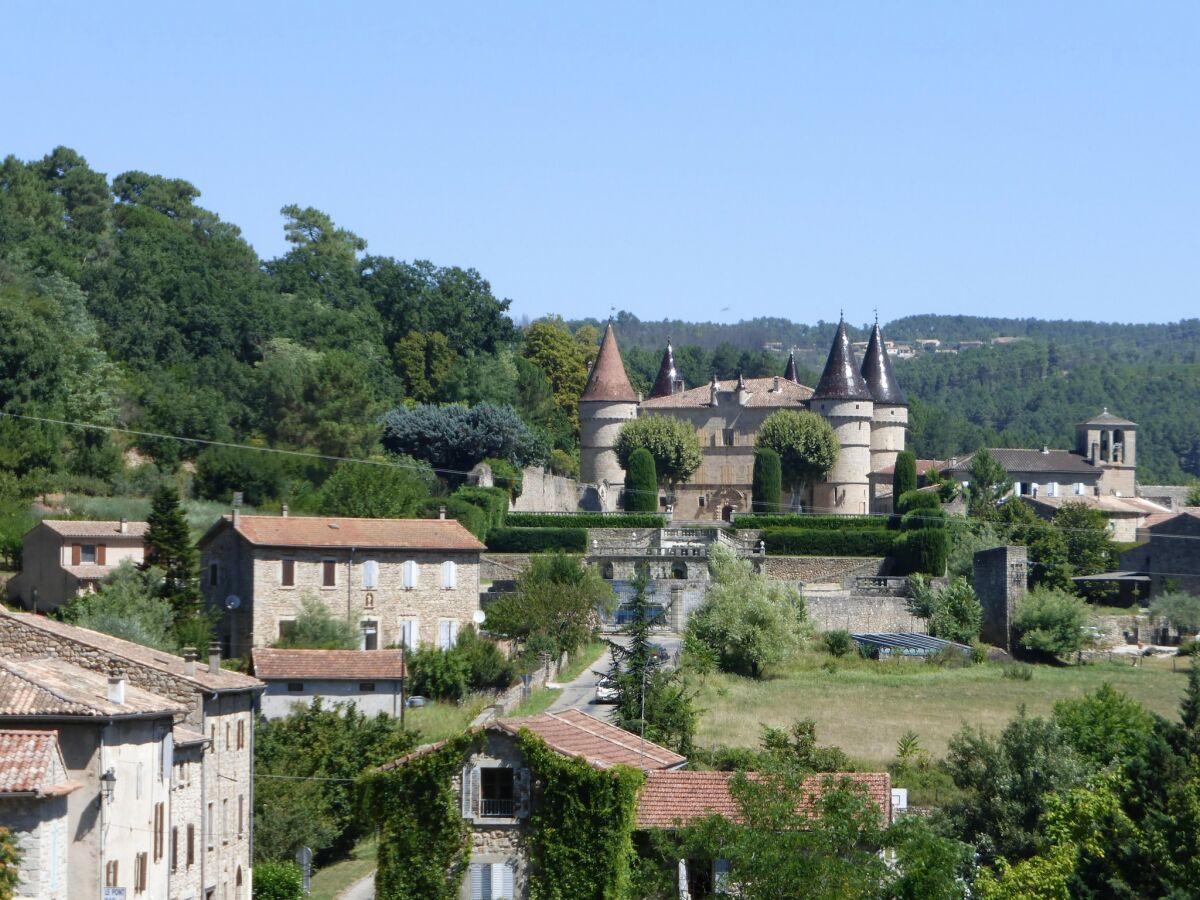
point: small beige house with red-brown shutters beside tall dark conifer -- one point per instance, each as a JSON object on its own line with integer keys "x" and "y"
{"x": 63, "y": 559}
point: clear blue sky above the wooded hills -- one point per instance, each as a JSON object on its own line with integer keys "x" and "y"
{"x": 676, "y": 160}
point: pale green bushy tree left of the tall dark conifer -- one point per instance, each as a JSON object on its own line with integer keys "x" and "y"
{"x": 130, "y": 605}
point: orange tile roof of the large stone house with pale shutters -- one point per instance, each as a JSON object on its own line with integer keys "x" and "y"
{"x": 362, "y": 533}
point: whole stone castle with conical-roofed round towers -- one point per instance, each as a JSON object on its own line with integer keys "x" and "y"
{"x": 866, "y": 407}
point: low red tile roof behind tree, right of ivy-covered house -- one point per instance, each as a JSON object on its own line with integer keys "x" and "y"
{"x": 674, "y": 799}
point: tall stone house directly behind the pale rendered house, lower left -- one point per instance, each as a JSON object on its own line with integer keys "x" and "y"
{"x": 211, "y": 825}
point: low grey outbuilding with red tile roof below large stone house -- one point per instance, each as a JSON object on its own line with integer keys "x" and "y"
{"x": 374, "y": 681}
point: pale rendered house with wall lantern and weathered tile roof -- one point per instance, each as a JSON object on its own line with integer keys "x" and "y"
{"x": 117, "y": 745}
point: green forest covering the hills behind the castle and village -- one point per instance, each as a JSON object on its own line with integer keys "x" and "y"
{"x": 128, "y": 305}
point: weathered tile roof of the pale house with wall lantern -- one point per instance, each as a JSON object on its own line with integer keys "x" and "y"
{"x": 52, "y": 688}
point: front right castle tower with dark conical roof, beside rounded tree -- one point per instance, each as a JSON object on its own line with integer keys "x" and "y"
{"x": 845, "y": 401}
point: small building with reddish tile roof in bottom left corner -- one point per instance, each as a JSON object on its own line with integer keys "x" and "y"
{"x": 34, "y": 789}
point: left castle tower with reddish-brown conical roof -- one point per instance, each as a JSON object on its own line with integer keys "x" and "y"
{"x": 608, "y": 403}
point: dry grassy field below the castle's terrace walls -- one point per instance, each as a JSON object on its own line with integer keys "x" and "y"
{"x": 865, "y": 707}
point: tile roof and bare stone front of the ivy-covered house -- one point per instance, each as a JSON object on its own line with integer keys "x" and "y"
{"x": 495, "y": 790}
